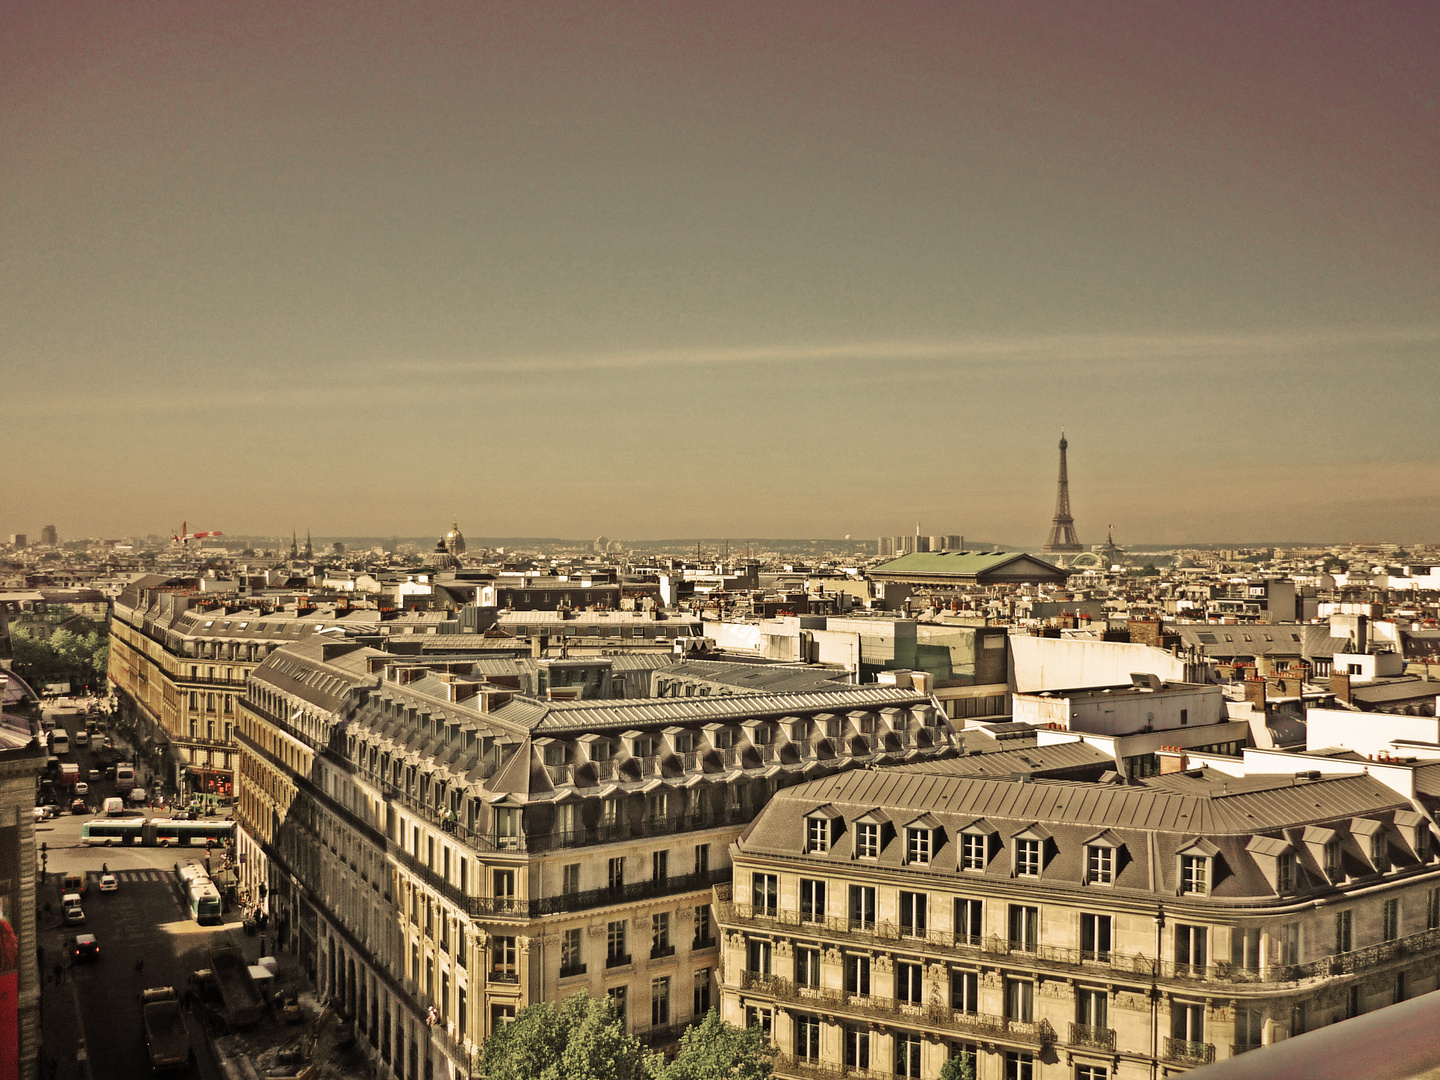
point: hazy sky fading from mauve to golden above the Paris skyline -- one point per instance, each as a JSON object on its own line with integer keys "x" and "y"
{"x": 722, "y": 270}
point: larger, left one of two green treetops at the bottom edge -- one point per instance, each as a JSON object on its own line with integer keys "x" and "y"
{"x": 581, "y": 1039}
